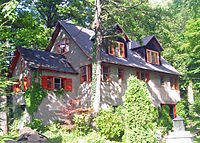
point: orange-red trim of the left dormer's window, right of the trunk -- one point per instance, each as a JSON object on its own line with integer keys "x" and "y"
{"x": 111, "y": 48}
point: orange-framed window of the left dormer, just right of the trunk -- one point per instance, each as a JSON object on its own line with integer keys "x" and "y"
{"x": 116, "y": 48}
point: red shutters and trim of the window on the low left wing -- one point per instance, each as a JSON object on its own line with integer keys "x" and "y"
{"x": 68, "y": 82}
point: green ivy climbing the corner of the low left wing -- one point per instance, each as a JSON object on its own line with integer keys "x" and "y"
{"x": 33, "y": 97}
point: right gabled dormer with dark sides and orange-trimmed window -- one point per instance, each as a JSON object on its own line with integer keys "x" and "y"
{"x": 148, "y": 48}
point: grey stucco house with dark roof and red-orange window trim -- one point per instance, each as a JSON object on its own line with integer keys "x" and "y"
{"x": 67, "y": 63}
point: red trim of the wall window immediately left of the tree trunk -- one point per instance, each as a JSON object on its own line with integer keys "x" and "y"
{"x": 88, "y": 73}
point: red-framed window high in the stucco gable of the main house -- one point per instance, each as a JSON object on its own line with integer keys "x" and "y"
{"x": 62, "y": 47}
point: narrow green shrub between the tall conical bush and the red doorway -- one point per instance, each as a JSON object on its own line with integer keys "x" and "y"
{"x": 165, "y": 121}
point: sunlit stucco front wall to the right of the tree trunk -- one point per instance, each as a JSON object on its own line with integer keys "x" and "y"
{"x": 113, "y": 91}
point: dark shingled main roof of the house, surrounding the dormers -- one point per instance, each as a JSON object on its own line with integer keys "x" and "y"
{"x": 82, "y": 36}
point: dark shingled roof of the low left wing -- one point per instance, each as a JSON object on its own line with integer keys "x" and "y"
{"x": 46, "y": 60}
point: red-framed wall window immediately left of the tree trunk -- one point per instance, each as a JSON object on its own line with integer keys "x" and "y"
{"x": 86, "y": 73}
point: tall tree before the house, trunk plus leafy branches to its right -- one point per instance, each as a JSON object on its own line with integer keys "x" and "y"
{"x": 108, "y": 13}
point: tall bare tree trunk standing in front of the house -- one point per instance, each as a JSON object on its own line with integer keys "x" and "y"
{"x": 97, "y": 25}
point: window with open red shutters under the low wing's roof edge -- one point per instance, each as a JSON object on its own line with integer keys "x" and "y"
{"x": 50, "y": 82}
